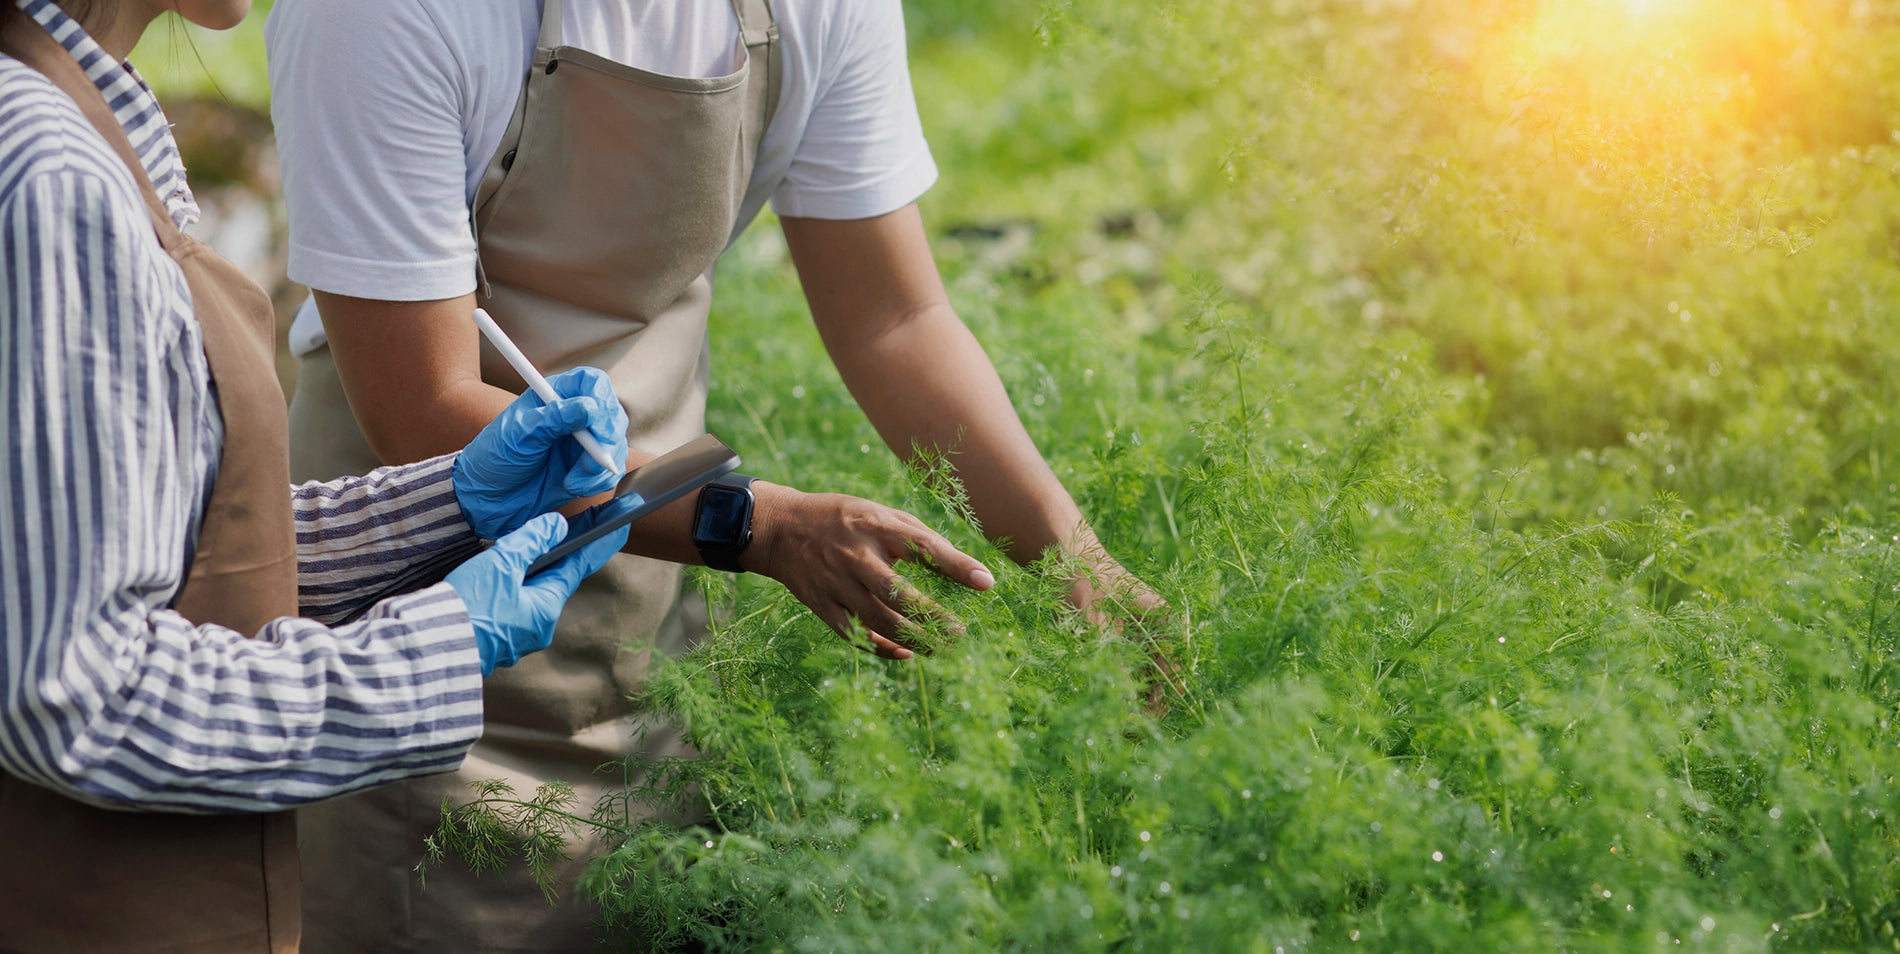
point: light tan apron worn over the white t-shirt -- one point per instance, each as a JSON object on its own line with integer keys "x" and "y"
{"x": 599, "y": 219}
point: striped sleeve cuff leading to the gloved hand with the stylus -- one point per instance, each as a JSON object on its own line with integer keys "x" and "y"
{"x": 356, "y": 533}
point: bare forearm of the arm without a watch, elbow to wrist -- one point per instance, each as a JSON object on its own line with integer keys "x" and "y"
{"x": 924, "y": 381}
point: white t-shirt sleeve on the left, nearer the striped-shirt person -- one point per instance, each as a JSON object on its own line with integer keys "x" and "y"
{"x": 370, "y": 111}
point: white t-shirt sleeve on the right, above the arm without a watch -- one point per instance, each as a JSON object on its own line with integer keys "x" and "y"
{"x": 864, "y": 151}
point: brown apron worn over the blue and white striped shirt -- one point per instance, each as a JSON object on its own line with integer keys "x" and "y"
{"x": 77, "y": 879}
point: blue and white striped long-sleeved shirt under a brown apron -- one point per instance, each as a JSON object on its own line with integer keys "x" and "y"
{"x": 111, "y": 442}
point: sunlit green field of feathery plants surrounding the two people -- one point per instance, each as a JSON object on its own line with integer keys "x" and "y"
{"x": 1500, "y": 391}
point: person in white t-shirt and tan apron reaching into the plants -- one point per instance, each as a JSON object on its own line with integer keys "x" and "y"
{"x": 442, "y": 155}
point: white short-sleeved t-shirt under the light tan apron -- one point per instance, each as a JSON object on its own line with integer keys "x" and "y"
{"x": 389, "y": 113}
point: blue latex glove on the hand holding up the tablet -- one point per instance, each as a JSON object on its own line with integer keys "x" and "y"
{"x": 512, "y": 617}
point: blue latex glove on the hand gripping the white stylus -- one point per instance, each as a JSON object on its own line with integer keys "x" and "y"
{"x": 527, "y": 463}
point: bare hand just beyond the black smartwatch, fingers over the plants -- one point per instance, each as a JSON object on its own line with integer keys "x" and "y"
{"x": 839, "y": 556}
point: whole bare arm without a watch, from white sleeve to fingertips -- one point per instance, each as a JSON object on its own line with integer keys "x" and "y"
{"x": 924, "y": 379}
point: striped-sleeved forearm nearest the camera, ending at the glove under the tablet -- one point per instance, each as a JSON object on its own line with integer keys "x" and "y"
{"x": 143, "y": 710}
